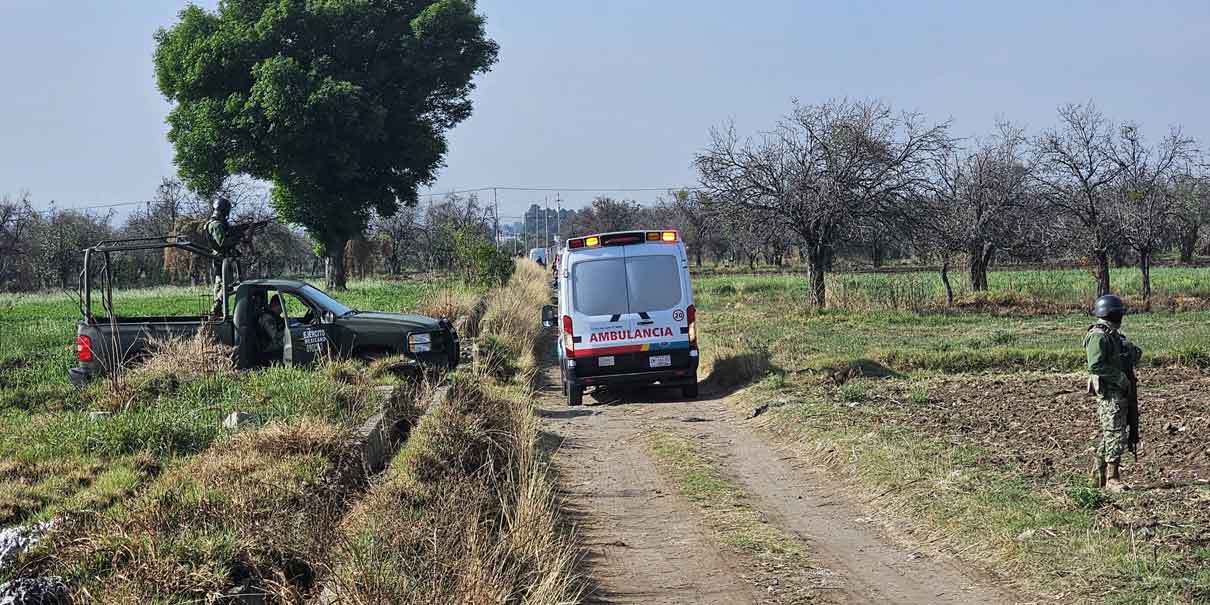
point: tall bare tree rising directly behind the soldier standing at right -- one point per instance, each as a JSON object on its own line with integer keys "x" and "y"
{"x": 1076, "y": 168}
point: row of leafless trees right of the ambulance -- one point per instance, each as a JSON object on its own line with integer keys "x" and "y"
{"x": 846, "y": 176}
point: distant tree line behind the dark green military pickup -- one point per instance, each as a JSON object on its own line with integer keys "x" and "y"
{"x": 42, "y": 250}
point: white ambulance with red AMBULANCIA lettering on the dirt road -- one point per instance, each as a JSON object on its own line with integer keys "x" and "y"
{"x": 626, "y": 313}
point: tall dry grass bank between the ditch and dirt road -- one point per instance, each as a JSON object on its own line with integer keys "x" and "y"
{"x": 468, "y": 512}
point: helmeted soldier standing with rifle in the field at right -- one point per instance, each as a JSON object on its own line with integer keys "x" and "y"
{"x": 1111, "y": 364}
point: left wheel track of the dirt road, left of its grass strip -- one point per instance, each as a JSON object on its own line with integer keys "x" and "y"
{"x": 644, "y": 543}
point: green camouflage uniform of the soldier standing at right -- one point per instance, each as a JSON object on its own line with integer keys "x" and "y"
{"x": 1110, "y": 359}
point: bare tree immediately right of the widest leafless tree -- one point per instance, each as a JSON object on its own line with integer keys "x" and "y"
{"x": 982, "y": 203}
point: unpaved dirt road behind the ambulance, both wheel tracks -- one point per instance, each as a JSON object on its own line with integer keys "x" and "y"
{"x": 647, "y": 544}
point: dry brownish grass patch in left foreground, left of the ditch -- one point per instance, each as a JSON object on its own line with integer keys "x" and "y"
{"x": 257, "y": 511}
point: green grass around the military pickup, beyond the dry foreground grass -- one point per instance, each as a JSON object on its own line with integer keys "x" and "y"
{"x": 65, "y": 448}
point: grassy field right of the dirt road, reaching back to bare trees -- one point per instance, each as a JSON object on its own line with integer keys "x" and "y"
{"x": 965, "y": 489}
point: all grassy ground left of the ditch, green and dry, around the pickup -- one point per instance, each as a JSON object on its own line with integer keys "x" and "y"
{"x": 154, "y": 499}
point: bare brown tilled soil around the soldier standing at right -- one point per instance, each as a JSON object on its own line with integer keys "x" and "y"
{"x": 1045, "y": 427}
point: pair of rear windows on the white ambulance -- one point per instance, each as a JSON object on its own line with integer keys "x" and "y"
{"x": 635, "y": 285}
